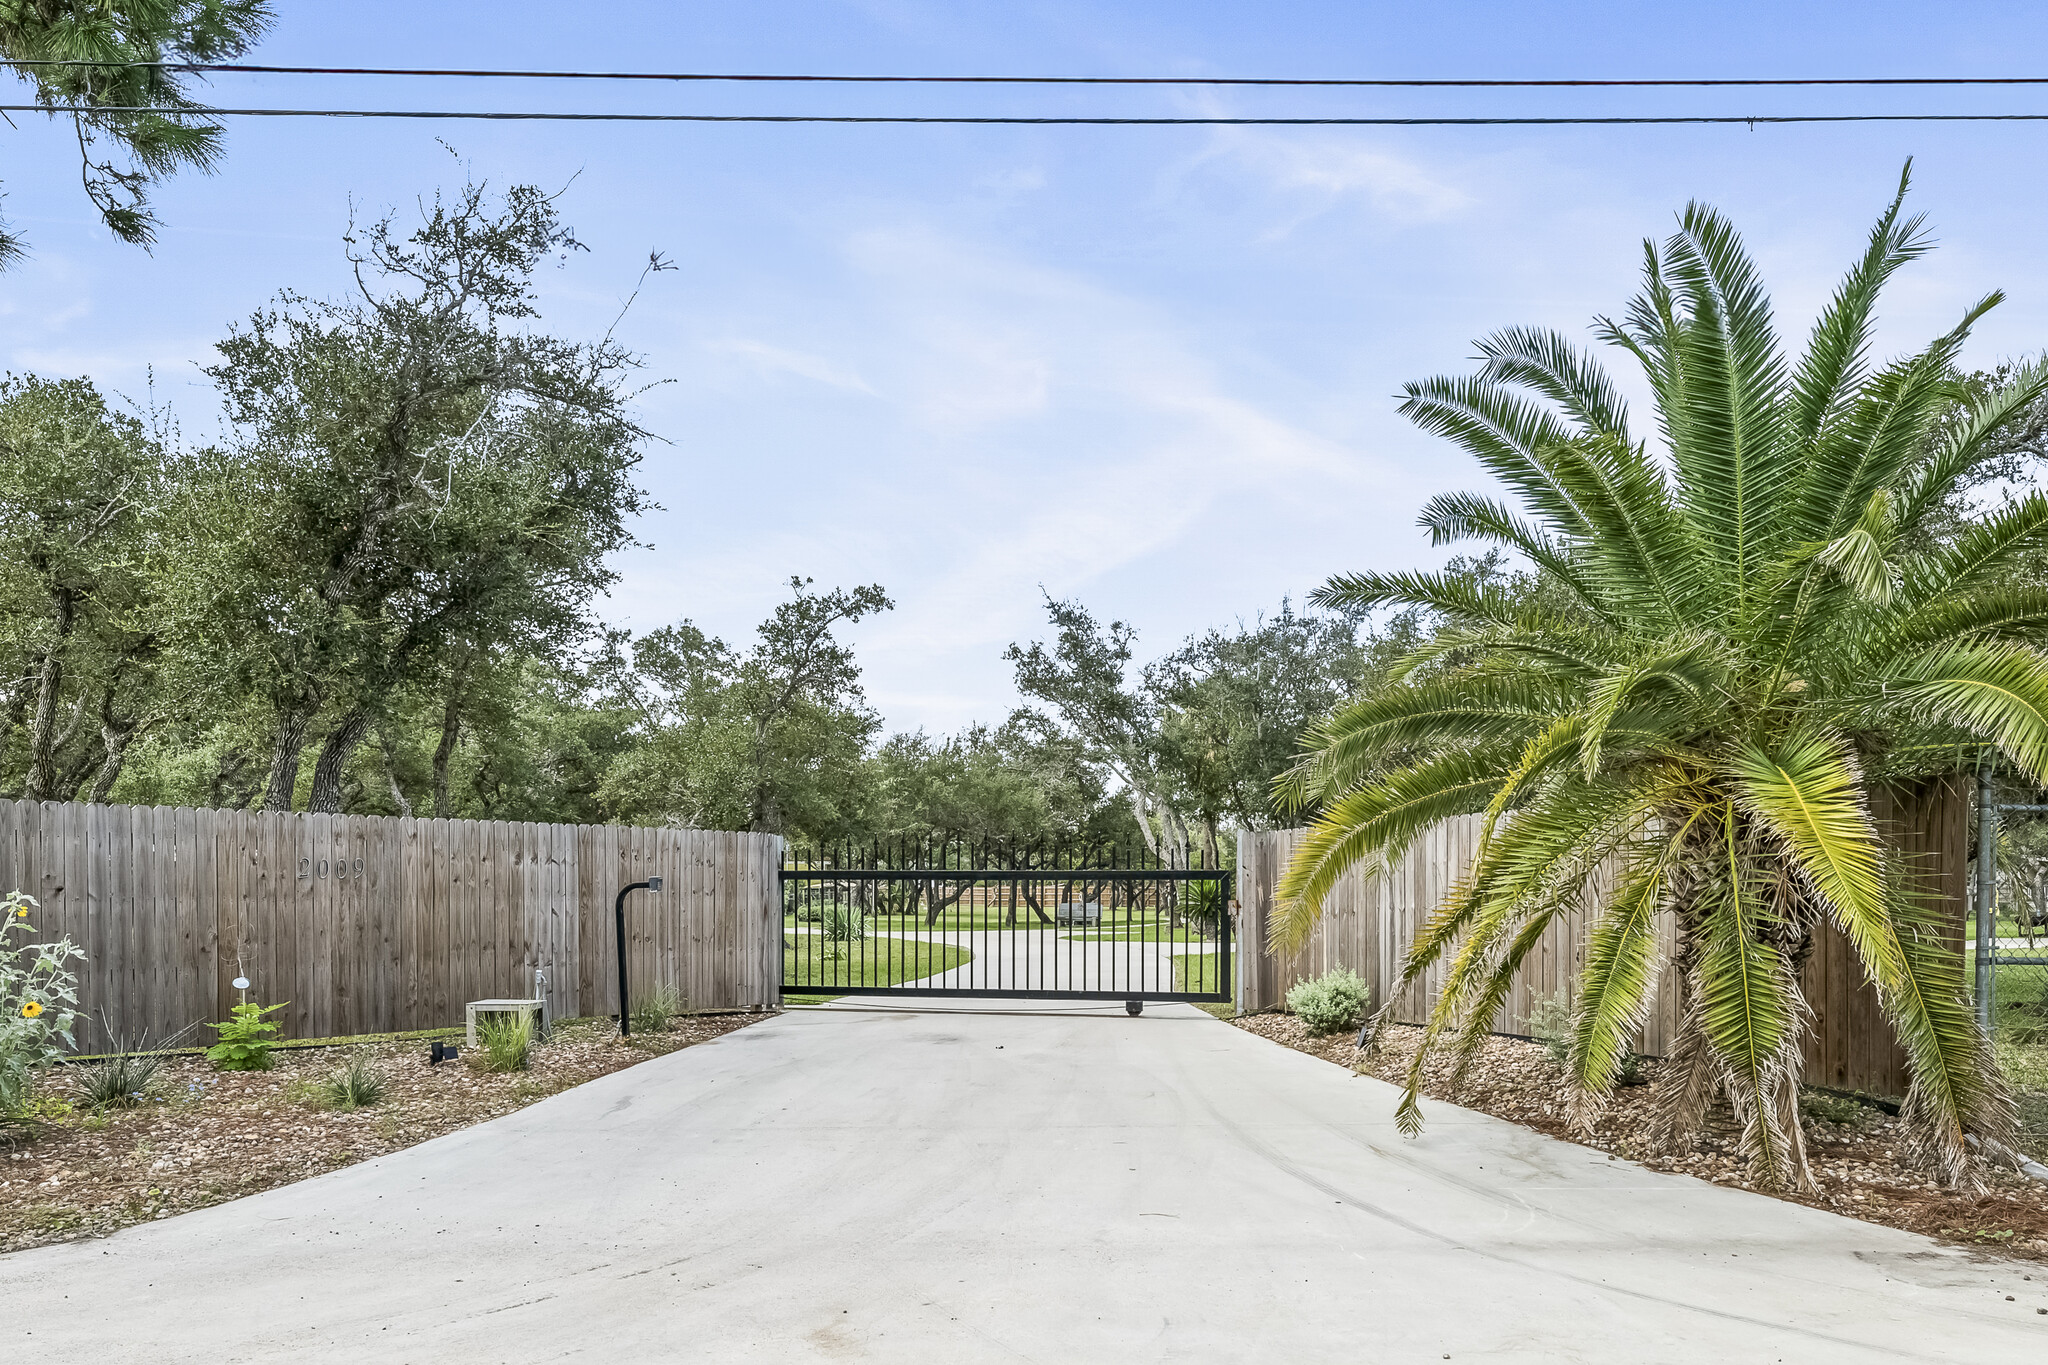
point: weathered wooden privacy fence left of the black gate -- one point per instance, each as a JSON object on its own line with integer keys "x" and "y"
{"x": 370, "y": 924}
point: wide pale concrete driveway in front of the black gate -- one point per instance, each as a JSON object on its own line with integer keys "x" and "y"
{"x": 1068, "y": 1186}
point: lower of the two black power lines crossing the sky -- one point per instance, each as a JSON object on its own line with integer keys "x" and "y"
{"x": 1007, "y": 120}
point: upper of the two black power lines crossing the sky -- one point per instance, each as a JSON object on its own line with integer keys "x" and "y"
{"x": 1058, "y": 81}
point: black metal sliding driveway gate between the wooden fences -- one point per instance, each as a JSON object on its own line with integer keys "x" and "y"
{"x": 941, "y": 920}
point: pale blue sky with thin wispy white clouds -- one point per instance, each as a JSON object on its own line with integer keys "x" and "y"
{"x": 1146, "y": 367}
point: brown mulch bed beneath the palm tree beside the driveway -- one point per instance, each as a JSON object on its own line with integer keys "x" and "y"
{"x": 1852, "y": 1147}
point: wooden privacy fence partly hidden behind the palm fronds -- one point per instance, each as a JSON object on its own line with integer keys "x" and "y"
{"x": 1369, "y": 924}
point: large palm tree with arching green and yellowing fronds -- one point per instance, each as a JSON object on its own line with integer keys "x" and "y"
{"x": 1736, "y": 635}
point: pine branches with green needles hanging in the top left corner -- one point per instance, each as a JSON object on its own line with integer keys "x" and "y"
{"x": 93, "y": 62}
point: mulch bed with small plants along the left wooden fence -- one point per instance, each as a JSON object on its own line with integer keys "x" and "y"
{"x": 206, "y": 1137}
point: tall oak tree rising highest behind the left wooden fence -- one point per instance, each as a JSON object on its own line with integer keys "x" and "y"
{"x": 421, "y": 482}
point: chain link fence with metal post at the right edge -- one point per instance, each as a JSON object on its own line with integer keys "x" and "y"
{"x": 2006, "y": 946}
